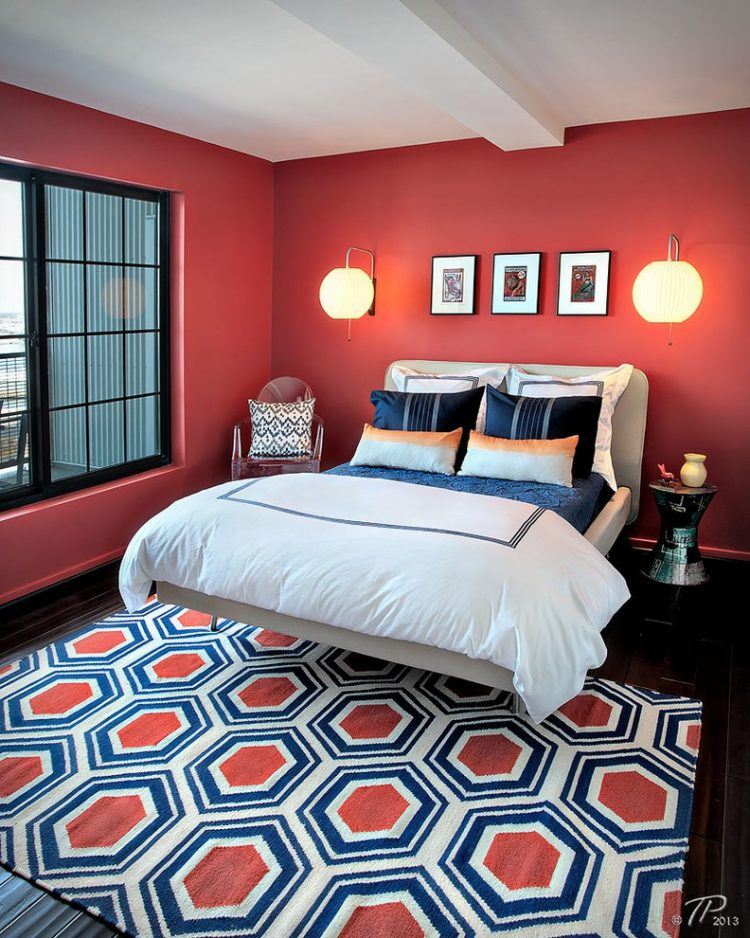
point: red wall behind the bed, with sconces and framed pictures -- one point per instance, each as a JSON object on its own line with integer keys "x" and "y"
{"x": 618, "y": 186}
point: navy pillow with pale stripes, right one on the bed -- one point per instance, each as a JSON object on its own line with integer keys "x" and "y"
{"x": 547, "y": 418}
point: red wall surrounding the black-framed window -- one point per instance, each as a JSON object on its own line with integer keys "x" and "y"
{"x": 222, "y": 256}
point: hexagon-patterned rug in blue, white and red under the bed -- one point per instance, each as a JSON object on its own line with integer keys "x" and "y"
{"x": 175, "y": 781}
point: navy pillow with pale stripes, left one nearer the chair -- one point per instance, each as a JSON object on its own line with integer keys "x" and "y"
{"x": 402, "y": 410}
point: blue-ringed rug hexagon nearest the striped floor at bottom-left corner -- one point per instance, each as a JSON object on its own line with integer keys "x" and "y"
{"x": 103, "y": 826}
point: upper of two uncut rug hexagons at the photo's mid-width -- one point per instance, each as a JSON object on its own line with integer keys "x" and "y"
{"x": 372, "y": 722}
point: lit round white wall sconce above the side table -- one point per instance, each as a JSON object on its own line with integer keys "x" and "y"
{"x": 668, "y": 291}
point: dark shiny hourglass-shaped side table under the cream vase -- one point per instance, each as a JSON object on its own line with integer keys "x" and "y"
{"x": 676, "y": 558}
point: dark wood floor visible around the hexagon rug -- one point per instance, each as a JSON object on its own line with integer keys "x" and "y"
{"x": 704, "y": 654}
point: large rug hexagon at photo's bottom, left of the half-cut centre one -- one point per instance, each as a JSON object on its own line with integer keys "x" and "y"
{"x": 226, "y": 879}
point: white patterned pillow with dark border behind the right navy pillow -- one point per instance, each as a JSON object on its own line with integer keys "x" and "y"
{"x": 608, "y": 385}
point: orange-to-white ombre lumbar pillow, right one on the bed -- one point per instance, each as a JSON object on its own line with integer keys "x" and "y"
{"x": 548, "y": 461}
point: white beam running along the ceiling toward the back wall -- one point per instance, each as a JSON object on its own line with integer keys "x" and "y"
{"x": 419, "y": 43}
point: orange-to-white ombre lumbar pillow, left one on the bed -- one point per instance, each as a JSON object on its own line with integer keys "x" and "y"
{"x": 404, "y": 449}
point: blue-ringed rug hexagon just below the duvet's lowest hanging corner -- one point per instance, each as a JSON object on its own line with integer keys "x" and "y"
{"x": 478, "y": 758}
